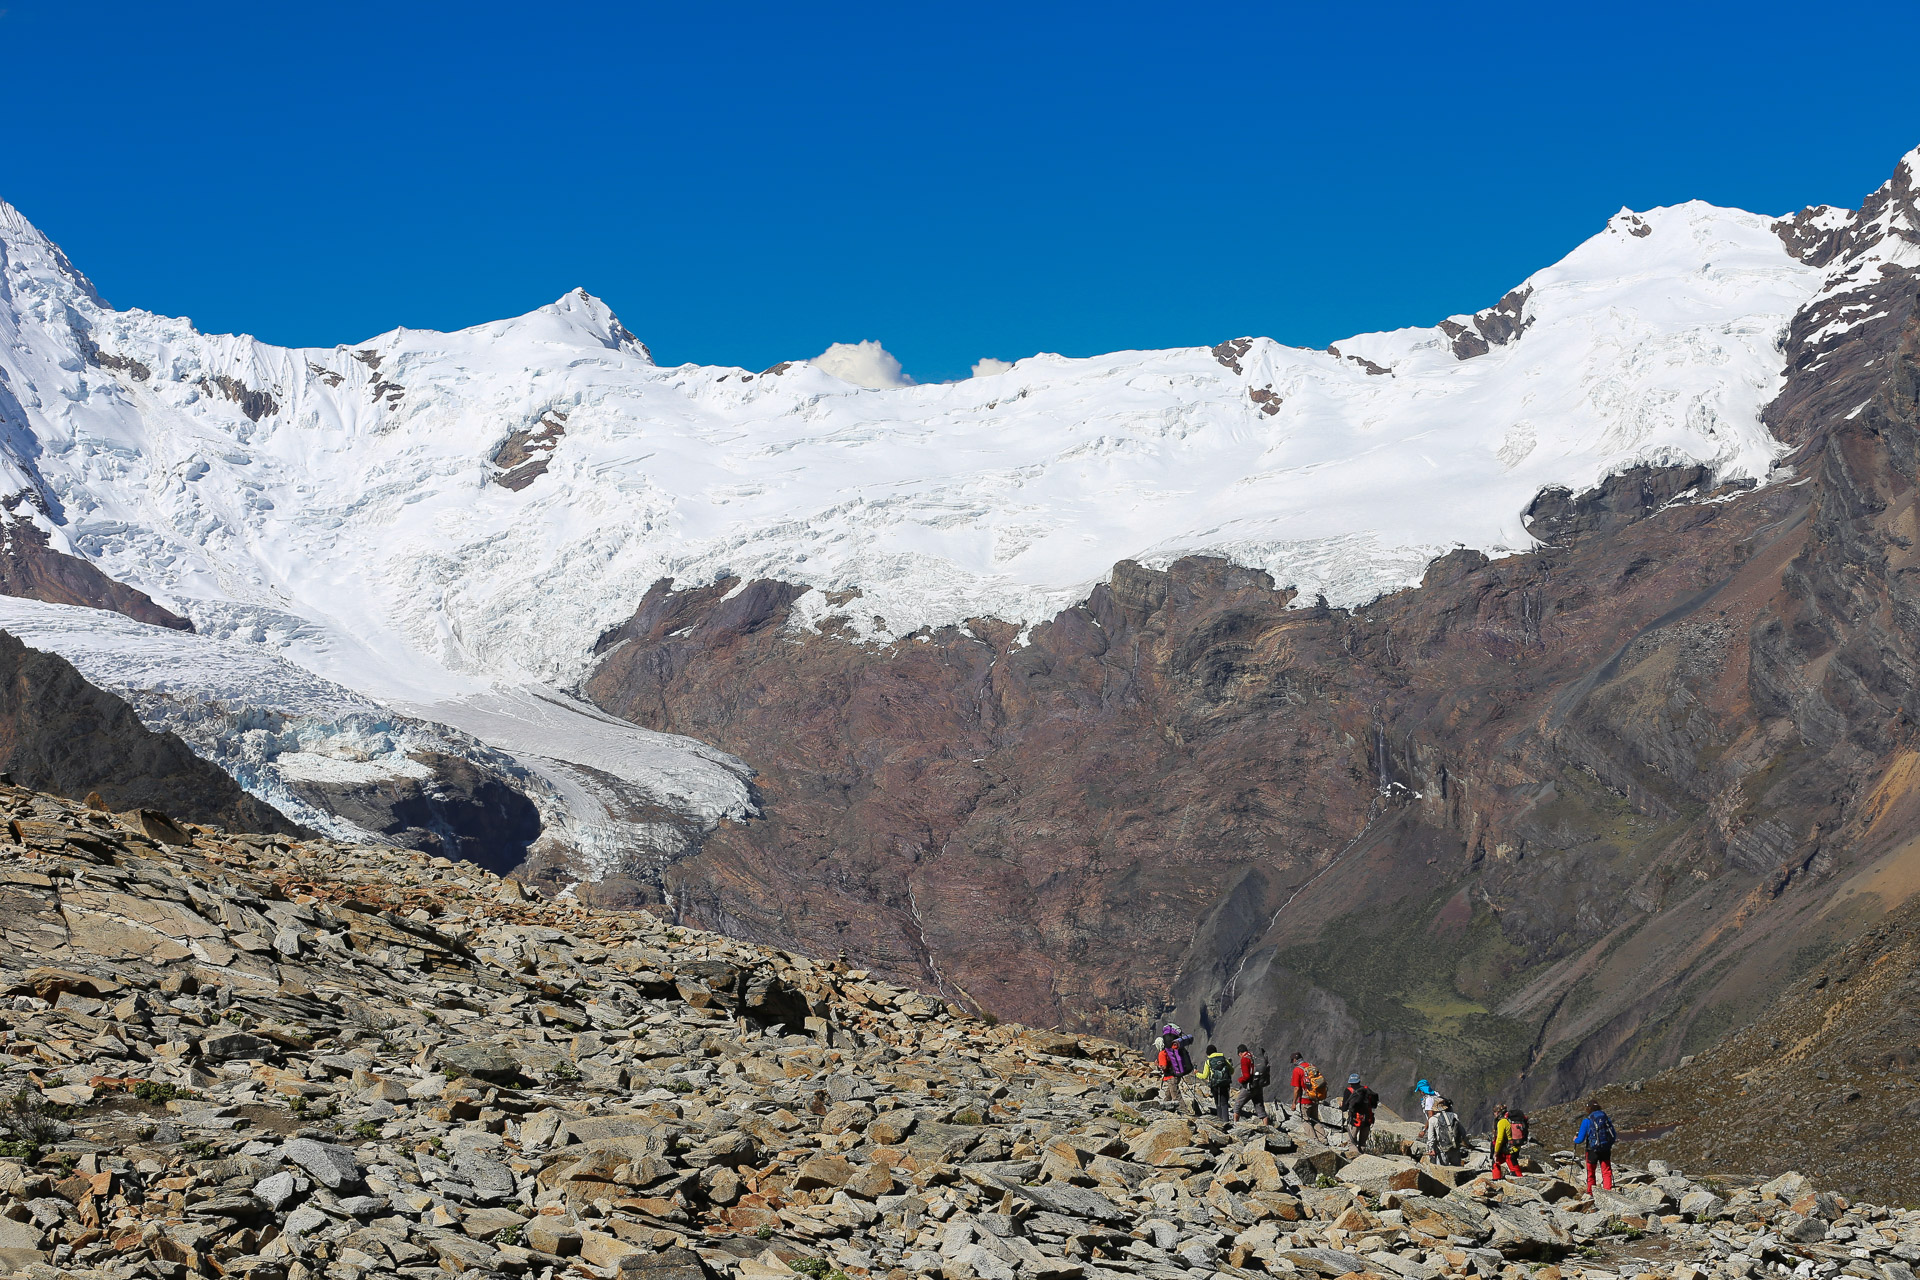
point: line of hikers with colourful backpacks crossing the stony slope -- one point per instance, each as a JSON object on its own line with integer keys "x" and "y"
{"x": 1447, "y": 1135}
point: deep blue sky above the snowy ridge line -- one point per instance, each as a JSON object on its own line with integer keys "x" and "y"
{"x": 750, "y": 183}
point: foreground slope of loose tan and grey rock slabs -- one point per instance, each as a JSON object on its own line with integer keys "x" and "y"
{"x": 283, "y": 1058}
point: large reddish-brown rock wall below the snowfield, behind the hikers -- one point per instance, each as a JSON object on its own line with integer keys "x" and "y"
{"x": 1533, "y": 826}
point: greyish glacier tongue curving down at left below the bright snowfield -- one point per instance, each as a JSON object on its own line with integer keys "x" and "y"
{"x": 602, "y": 786}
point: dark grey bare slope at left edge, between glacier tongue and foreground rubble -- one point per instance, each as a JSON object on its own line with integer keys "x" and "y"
{"x": 66, "y": 736}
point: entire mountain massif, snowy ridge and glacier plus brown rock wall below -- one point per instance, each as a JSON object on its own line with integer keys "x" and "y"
{"x": 1070, "y": 694}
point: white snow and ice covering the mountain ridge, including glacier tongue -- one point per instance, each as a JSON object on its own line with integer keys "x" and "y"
{"x": 444, "y": 525}
